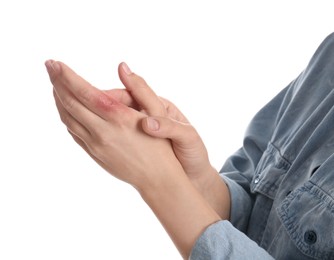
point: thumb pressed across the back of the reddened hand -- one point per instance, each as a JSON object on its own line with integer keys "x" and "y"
{"x": 180, "y": 133}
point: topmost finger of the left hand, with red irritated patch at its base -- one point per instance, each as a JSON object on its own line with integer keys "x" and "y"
{"x": 90, "y": 97}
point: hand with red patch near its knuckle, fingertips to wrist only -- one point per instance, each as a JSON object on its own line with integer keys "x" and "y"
{"x": 109, "y": 131}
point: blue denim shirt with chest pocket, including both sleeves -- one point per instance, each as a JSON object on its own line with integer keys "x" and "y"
{"x": 281, "y": 181}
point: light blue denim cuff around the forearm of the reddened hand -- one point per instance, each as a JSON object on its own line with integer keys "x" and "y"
{"x": 222, "y": 241}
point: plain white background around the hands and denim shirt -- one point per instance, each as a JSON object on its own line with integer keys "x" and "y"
{"x": 219, "y": 61}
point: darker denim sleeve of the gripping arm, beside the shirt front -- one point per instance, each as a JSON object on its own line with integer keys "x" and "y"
{"x": 238, "y": 171}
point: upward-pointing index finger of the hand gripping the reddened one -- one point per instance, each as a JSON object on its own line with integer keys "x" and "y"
{"x": 141, "y": 92}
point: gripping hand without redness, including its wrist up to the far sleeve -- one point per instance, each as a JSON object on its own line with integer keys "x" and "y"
{"x": 166, "y": 121}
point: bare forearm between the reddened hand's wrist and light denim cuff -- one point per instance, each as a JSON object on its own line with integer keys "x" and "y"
{"x": 181, "y": 209}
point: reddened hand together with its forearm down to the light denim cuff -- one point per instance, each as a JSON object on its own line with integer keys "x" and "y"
{"x": 112, "y": 135}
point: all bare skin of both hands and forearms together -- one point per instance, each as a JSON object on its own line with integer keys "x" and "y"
{"x": 114, "y": 129}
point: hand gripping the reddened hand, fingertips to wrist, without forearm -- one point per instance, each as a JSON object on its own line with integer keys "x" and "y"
{"x": 165, "y": 121}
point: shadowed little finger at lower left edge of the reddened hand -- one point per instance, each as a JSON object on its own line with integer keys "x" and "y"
{"x": 71, "y": 123}
